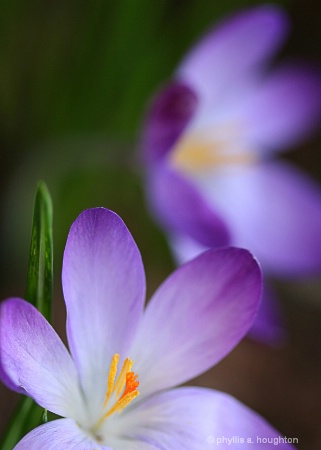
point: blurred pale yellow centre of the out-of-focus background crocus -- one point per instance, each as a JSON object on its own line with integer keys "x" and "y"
{"x": 193, "y": 154}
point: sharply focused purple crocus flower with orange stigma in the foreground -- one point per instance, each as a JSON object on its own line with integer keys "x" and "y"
{"x": 114, "y": 389}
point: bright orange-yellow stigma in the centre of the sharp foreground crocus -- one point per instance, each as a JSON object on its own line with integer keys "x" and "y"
{"x": 121, "y": 390}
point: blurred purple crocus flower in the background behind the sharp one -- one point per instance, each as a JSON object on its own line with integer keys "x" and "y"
{"x": 208, "y": 143}
